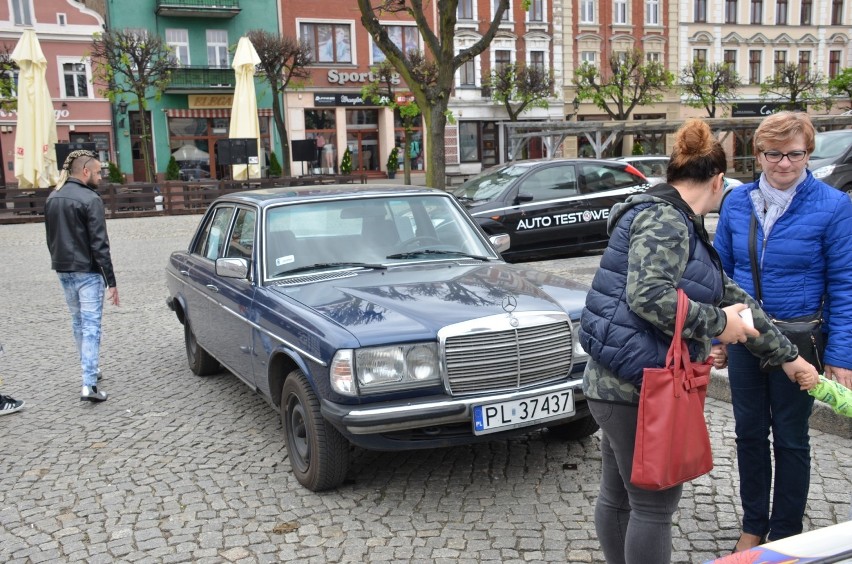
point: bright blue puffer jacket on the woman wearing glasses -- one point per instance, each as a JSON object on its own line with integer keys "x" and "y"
{"x": 808, "y": 254}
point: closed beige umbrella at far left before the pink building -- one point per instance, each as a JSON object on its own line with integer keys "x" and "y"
{"x": 35, "y": 133}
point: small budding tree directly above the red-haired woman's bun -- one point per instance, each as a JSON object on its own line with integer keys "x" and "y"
{"x": 709, "y": 86}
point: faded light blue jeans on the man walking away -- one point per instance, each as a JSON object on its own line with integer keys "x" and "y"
{"x": 84, "y": 293}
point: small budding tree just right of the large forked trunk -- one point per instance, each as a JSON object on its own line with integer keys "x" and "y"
{"x": 520, "y": 88}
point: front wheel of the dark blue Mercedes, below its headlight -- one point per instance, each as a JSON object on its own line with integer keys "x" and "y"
{"x": 319, "y": 454}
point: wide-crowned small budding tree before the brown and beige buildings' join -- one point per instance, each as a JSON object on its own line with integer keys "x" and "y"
{"x": 628, "y": 81}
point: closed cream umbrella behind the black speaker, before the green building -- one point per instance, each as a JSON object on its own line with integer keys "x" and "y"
{"x": 244, "y": 124}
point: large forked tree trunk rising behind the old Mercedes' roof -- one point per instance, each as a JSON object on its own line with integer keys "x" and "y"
{"x": 429, "y": 74}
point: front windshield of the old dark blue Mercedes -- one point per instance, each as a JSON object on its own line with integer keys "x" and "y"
{"x": 368, "y": 233}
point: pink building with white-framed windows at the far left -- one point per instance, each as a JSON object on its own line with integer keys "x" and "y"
{"x": 65, "y": 31}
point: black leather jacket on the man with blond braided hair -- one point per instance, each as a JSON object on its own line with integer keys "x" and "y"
{"x": 76, "y": 231}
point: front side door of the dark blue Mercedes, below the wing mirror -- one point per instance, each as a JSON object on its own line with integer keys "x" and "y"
{"x": 230, "y": 326}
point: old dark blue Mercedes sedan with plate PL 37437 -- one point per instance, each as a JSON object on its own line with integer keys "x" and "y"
{"x": 377, "y": 316}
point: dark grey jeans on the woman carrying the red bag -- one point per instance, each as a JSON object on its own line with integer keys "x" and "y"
{"x": 633, "y": 525}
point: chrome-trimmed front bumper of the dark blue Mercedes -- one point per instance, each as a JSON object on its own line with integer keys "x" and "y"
{"x": 431, "y": 413}
